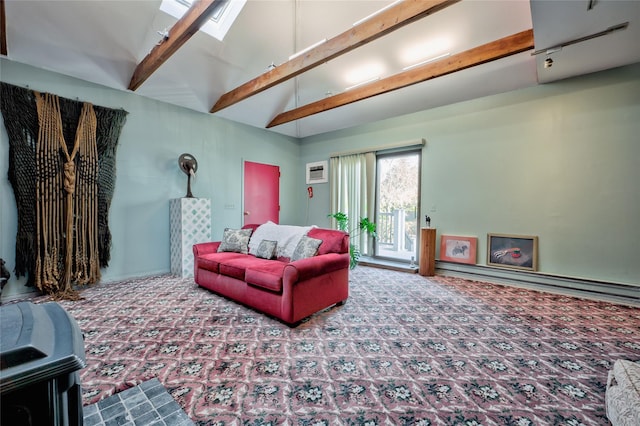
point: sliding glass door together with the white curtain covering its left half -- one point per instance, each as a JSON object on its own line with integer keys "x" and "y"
{"x": 383, "y": 184}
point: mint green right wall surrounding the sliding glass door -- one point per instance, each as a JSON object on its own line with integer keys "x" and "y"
{"x": 560, "y": 161}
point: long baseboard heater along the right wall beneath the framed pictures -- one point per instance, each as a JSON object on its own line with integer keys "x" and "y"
{"x": 627, "y": 294}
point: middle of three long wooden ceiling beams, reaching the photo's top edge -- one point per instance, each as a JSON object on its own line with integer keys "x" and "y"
{"x": 379, "y": 25}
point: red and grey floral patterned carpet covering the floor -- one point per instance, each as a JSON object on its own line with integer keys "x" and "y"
{"x": 404, "y": 350}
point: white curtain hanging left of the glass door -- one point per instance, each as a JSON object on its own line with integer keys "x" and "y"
{"x": 353, "y": 179}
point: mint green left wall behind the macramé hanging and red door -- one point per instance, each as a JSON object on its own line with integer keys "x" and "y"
{"x": 148, "y": 176}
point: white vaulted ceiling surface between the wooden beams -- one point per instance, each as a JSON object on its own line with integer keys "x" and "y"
{"x": 103, "y": 41}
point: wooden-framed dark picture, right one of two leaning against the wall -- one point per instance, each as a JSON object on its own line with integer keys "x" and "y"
{"x": 512, "y": 251}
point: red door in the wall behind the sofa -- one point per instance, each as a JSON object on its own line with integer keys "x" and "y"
{"x": 261, "y": 193}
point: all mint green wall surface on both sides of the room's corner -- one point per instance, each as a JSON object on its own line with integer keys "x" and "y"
{"x": 561, "y": 161}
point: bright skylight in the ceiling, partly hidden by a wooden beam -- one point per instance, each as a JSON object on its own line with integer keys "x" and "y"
{"x": 224, "y": 13}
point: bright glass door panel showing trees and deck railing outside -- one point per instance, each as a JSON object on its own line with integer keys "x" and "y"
{"x": 397, "y": 205}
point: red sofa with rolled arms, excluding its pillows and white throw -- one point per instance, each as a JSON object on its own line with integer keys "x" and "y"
{"x": 289, "y": 291}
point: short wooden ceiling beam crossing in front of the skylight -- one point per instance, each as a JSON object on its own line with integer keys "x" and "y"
{"x": 179, "y": 34}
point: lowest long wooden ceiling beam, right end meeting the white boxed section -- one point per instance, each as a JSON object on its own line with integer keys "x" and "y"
{"x": 492, "y": 51}
